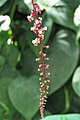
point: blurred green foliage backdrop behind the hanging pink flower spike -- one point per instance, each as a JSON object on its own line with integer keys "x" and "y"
{"x": 19, "y": 85}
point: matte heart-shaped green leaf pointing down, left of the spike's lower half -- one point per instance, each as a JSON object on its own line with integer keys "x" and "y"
{"x": 24, "y": 95}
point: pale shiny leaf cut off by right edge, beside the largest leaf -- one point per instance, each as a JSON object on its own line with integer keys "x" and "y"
{"x": 76, "y": 81}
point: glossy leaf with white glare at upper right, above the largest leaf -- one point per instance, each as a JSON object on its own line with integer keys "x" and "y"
{"x": 62, "y": 15}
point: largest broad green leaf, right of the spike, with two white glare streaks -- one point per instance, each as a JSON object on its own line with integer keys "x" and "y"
{"x": 63, "y": 55}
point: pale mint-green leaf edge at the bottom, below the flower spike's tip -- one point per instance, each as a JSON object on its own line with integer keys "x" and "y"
{"x": 63, "y": 117}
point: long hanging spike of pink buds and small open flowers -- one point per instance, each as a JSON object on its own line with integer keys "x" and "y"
{"x": 43, "y": 67}
